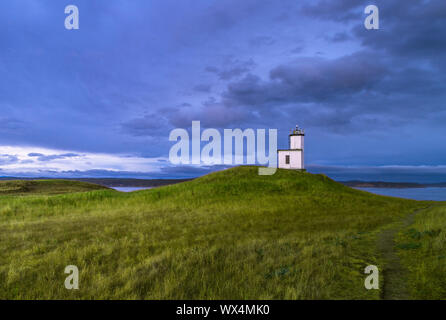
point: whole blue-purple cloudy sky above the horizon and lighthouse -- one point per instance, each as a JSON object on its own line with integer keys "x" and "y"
{"x": 102, "y": 100}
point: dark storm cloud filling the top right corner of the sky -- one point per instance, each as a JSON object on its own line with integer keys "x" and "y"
{"x": 408, "y": 29}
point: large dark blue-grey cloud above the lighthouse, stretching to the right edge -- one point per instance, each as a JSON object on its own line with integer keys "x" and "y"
{"x": 344, "y": 91}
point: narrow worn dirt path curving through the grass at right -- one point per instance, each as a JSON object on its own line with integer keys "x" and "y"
{"x": 395, "y": 275}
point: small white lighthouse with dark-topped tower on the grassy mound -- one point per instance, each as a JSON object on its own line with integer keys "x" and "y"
{"x": 293, "y": 158}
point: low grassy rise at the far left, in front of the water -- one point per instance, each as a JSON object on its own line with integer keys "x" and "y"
{"x": 45, "y": 187}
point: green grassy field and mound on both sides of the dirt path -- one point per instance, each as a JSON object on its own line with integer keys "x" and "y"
{"x": 228, "y": 235}
